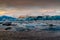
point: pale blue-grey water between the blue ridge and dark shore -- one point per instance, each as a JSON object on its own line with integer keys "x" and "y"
{"x": 35, "y": 25}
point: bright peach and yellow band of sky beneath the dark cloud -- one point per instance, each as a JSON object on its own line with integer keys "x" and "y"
{"x": 29, "y": 11}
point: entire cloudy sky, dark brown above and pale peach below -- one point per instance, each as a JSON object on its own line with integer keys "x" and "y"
{"x": 18, "y": 8}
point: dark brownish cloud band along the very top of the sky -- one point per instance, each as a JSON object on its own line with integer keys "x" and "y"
{"x": 29, "y": 2}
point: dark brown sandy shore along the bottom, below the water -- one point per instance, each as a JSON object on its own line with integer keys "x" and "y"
{"x": 9, "y": 35}
